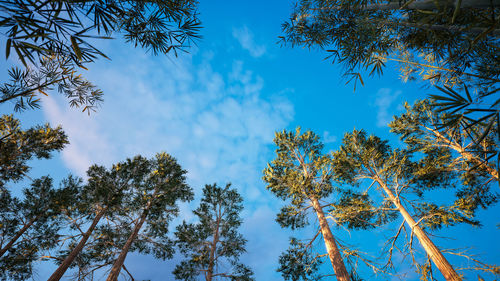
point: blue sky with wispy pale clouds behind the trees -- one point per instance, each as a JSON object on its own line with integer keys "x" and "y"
{"x": 216, "y": 109}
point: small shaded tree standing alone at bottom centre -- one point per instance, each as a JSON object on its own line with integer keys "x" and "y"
{"x": 213, "y": 244}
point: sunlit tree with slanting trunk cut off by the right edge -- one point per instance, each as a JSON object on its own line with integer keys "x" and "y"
{"x": 473, "y": 148}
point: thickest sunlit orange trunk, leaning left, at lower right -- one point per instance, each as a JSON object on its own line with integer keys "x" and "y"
{"x": 432, "y": 251}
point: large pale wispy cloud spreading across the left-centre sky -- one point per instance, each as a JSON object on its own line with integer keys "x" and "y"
{"x": 220, "y": 127}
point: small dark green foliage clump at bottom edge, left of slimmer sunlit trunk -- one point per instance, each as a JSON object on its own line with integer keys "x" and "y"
{"x": 298, "y": 263}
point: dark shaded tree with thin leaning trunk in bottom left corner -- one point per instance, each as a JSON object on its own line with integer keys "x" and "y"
{"x": 30, "y": 226}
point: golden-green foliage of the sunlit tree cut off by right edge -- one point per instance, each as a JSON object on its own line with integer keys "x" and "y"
{"x": 455, "y": 149}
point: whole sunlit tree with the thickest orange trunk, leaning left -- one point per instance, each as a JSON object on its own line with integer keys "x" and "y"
{"x": 362, "y": 157}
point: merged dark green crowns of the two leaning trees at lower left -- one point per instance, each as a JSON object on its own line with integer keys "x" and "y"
{"x": 132, "y": 190}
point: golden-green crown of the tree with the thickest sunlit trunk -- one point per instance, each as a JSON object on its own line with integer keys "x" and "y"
{"x": 363, "y": 157}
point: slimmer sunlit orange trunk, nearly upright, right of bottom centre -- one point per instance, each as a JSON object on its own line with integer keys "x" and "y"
{"x": 330, "y": 244}
